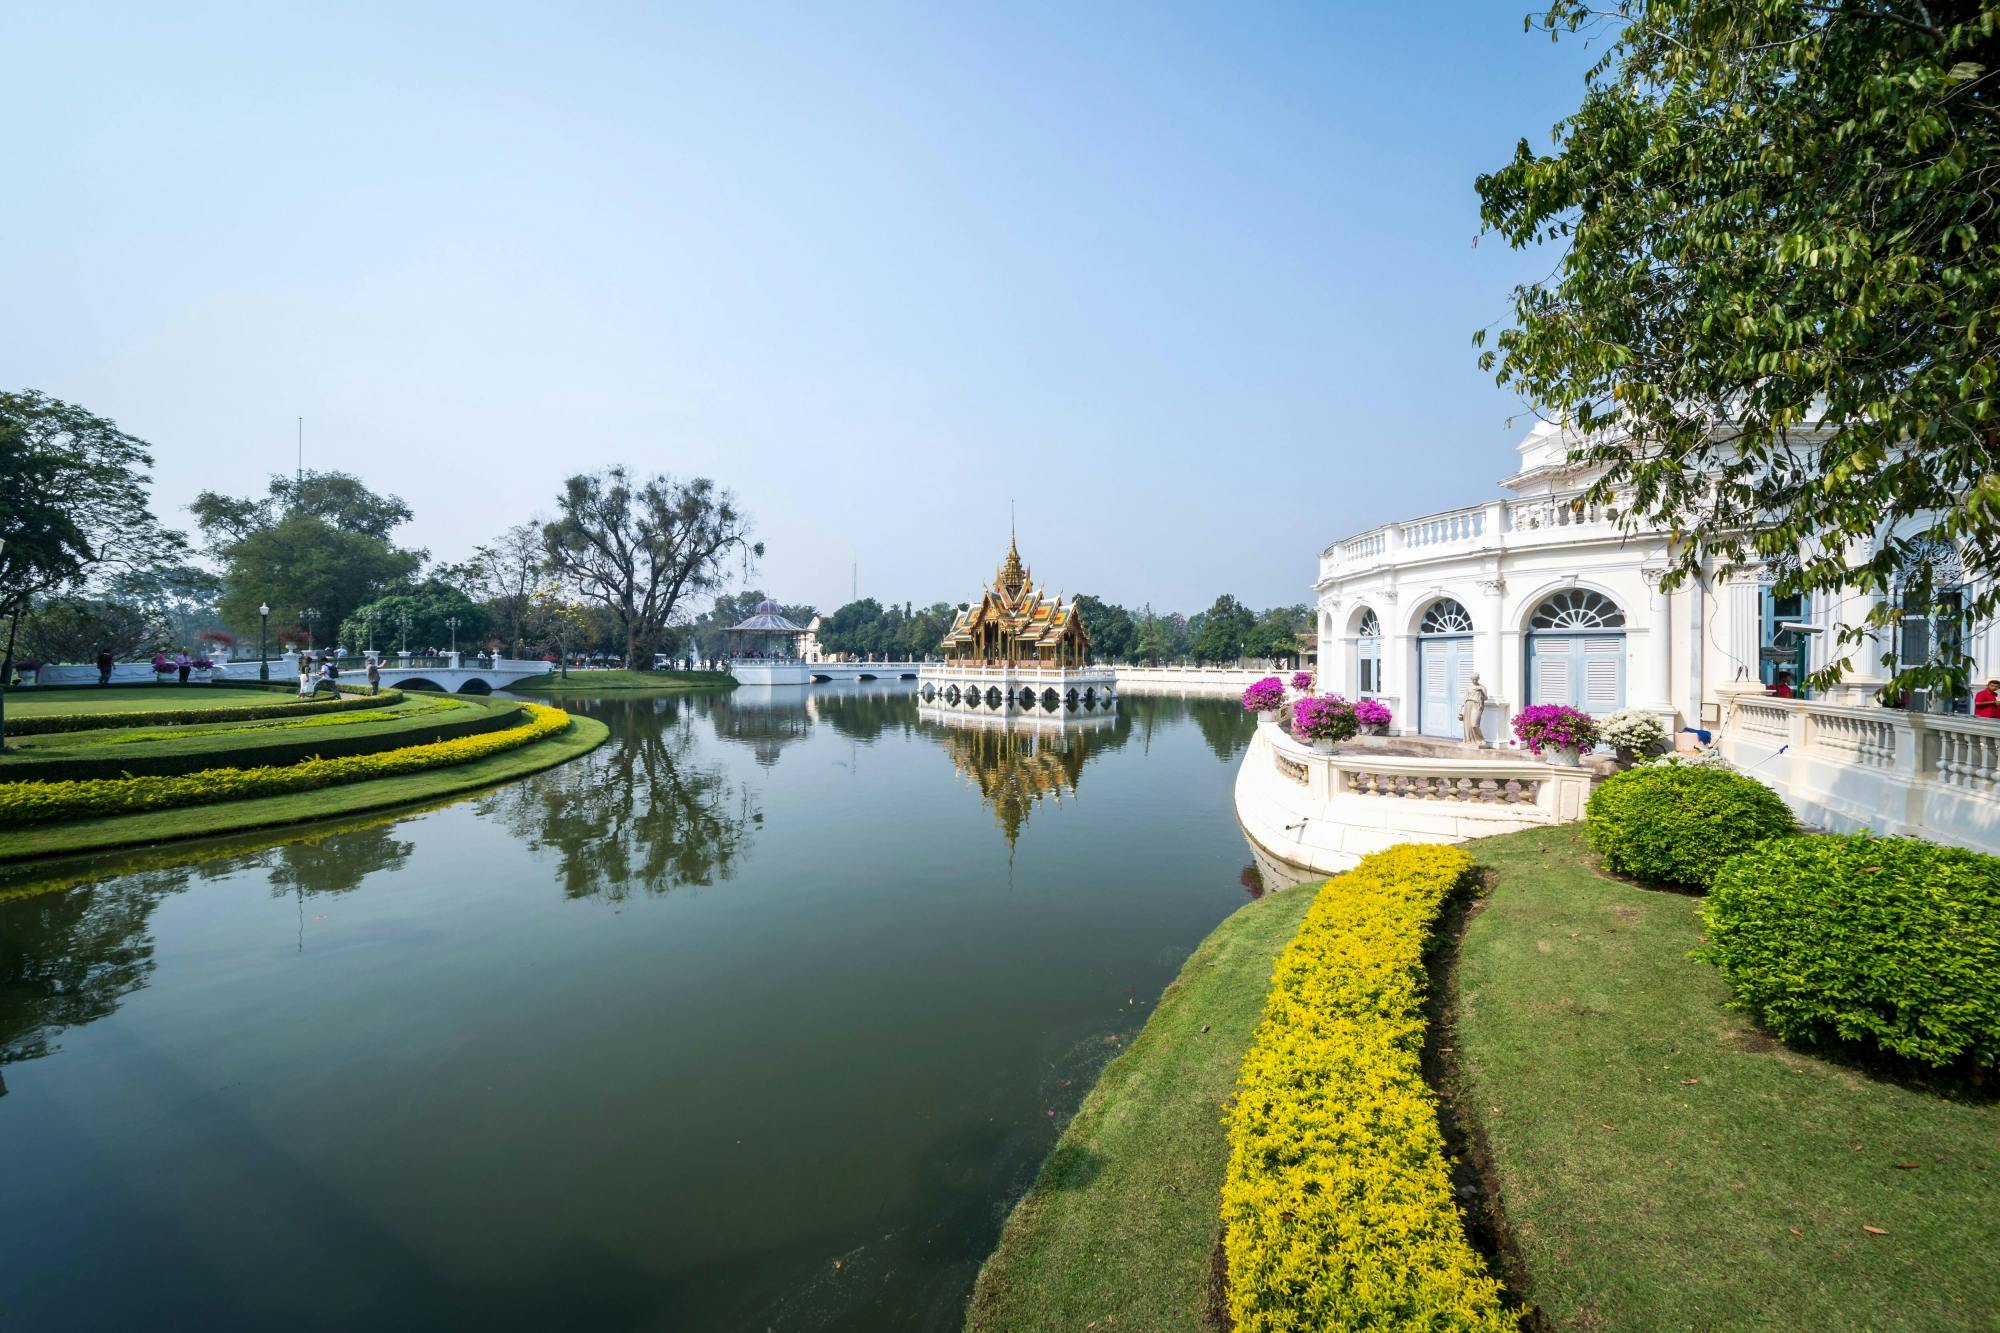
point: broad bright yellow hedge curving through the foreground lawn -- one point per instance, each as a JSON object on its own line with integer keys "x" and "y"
{"x": 1339, "y": 1208}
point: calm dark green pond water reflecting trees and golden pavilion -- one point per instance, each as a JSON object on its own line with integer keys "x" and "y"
{"x": 759, "y": 1018}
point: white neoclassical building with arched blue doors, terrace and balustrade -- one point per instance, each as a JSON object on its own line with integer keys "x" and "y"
{"x": 1551, "y": 599}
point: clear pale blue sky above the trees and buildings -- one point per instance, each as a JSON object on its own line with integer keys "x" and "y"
{"x": 1191, "y": 287}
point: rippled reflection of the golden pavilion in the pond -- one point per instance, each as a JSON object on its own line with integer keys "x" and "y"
{"x": 1019, "y": 762}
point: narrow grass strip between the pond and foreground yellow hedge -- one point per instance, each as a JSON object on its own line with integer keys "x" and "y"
{"x": 1123, "y": 1222}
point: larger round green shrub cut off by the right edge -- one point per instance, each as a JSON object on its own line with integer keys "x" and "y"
{"x": 1889, "y": 944}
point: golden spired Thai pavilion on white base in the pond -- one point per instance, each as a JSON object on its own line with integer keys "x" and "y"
{"x": 1017, "y": 649}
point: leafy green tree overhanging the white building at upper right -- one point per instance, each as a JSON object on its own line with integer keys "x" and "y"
{"x": 1777, "y": 285}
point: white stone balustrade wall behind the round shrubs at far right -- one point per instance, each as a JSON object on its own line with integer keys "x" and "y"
{"x": 1857, "y": 768}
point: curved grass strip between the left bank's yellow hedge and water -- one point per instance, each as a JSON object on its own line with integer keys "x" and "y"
{"x": 293, "y": 810}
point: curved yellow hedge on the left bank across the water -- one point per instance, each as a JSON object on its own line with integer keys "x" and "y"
{"x": 37, "y": 804}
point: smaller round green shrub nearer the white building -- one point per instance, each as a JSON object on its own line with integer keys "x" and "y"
{"x": 1677, "y": 826}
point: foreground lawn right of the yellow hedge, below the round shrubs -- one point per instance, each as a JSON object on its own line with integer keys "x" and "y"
{"x": 1667, "y": 1166}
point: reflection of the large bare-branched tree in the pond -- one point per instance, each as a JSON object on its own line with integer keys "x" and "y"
{"x": 647, "y": 812}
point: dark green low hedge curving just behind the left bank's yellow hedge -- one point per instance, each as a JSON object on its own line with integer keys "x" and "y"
{"x": 263, "y": 750}
